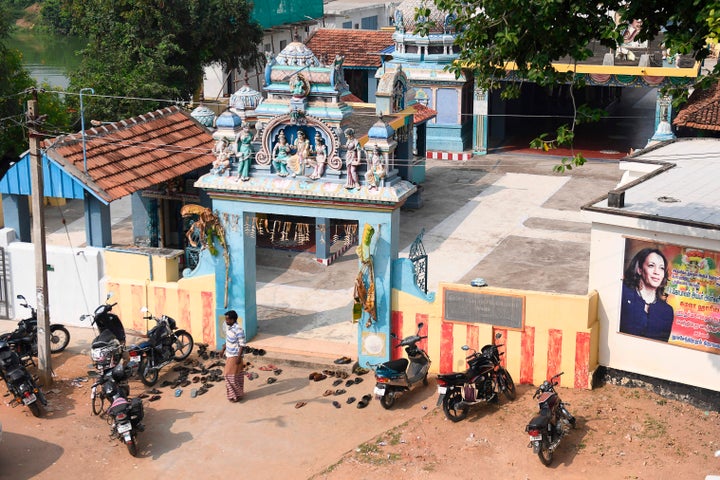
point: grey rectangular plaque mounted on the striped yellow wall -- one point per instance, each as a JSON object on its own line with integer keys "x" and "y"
{"x": 498, "y": 310}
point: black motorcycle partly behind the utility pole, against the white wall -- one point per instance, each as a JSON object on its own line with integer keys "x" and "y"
{"x": 24, "y": 338}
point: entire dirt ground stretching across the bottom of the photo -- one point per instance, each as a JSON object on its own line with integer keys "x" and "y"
{"x": 622, "y": 433}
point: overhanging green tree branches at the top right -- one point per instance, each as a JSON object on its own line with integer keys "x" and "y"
{"x": 534, "y": 34}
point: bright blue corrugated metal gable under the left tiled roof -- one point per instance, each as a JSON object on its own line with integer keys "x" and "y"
{"x": 56, "y": 181}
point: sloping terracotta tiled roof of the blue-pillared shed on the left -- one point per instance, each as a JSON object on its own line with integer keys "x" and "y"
{"x": 130, "y": 155}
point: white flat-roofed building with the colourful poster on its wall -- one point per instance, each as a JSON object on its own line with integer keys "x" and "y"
{"x": 670, "y": 204}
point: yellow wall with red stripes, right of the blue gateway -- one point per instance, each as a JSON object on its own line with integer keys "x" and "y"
{"x": 559, "y": 333}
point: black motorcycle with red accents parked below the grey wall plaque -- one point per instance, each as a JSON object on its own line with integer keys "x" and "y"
{"x": 480, "y": 383}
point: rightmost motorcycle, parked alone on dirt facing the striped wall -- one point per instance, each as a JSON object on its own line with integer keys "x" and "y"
{"x": 554, "y": 422}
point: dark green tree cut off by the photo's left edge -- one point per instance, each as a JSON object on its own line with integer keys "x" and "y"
{"x": 14, "y": 80}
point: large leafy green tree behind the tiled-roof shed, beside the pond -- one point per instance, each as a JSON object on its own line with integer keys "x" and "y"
{"x": 149, "y": 49}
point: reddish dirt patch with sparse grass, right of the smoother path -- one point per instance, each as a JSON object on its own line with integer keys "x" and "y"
{"x": 622, "y": 433}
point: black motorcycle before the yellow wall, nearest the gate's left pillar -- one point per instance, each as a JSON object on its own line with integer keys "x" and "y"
{"x": 165, "y": 343}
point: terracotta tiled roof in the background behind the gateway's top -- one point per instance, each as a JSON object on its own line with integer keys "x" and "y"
{"x": 360, "y": 47}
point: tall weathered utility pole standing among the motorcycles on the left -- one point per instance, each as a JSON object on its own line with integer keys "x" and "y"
{"x": 36, "y": 179}
